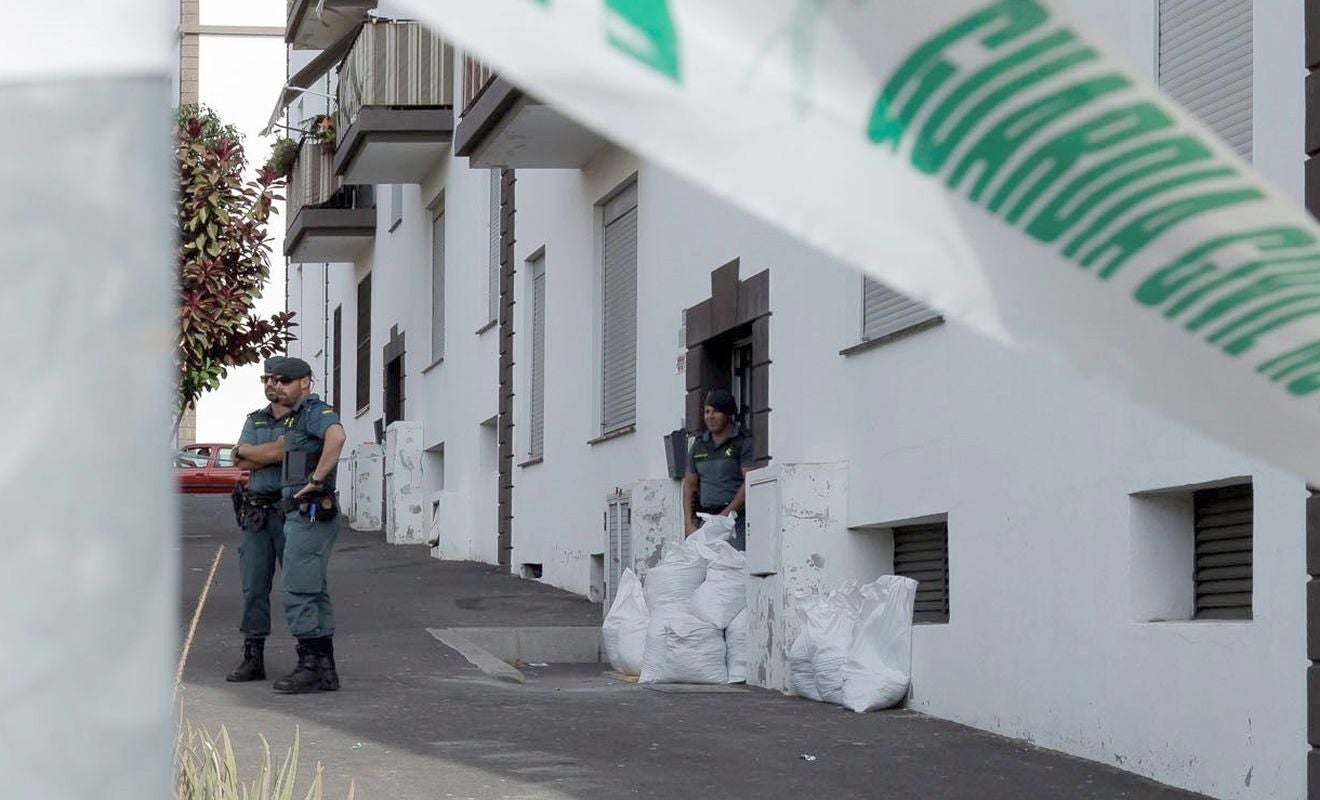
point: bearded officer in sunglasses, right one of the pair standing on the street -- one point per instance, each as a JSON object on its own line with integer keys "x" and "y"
{"x": 313, "y": 440}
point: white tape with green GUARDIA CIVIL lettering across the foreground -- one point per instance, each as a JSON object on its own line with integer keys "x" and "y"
{"x": 989, "y": 159}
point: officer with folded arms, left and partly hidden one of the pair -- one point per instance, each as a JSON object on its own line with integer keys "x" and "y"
{"x": 261, "y": 450}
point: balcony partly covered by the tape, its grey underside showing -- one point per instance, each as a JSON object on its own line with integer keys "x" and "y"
{"x": 504, "y": 127}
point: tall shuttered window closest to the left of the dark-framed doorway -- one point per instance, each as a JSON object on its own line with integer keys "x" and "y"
{"x": 620, "y": 312}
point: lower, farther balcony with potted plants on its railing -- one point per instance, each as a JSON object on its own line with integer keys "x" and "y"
{"x": 328, "y": 220}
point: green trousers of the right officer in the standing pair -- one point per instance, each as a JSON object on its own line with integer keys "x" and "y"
{"x": 307, "y": 556}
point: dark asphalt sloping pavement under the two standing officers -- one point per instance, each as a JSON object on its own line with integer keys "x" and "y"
{"x": 415, "y": 720}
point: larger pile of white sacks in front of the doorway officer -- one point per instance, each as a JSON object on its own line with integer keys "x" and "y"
{"x": 690, "y": 625}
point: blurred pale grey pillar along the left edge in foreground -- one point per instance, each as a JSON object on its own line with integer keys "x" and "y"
{"x": 88, "y": 512}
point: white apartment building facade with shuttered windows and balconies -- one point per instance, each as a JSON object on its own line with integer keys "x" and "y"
{"x": 517, "y": 320}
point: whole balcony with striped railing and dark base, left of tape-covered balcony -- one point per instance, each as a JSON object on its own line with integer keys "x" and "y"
{"x": 397, "y": 105}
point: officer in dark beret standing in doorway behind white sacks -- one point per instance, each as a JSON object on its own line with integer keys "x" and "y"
{"x": 717, "y": 467}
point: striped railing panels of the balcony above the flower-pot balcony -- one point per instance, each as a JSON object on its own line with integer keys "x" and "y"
{"x": 395, "y": 64}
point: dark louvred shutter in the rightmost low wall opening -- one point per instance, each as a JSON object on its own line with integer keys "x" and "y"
{"x": 1224, "y": 552}
